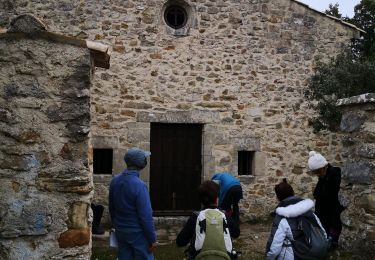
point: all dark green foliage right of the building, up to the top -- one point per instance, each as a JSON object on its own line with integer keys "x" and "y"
{"x": 350, "y": 73}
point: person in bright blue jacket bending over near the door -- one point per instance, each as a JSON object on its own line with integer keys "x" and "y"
{"x": 230, "y": 194}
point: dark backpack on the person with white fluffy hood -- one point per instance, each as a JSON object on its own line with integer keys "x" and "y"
{"x": 309, "y": 242}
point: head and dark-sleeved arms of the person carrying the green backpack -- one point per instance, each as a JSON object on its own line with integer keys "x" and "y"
{"x": 208, "y": 195}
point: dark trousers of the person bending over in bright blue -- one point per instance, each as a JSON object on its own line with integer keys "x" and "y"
{"x": 230, "y": 202}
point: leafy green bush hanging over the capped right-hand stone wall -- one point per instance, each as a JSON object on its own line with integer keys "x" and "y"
{"x": 344, "y": 76}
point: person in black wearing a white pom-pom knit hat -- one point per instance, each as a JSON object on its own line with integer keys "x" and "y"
{"x": 327, "y": 205}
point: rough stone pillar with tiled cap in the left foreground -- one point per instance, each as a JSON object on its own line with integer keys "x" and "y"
{"x": 46, "y": 185}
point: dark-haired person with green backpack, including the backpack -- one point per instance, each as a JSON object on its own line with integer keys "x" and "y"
{"x": 208, "y": 231}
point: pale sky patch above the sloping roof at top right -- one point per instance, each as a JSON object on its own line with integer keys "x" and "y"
{"x": 346, "y": 7}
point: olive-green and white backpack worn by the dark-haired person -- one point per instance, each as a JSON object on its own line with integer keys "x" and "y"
{"x": 212, "y": 240}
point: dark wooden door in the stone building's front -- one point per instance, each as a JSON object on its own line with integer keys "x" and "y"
{"x": 175, "y": 167}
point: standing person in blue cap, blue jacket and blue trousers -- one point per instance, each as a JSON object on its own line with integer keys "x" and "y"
{"x": 130, "y": 209}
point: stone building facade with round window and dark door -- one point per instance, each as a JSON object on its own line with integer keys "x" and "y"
{"x": 207, "y": 86}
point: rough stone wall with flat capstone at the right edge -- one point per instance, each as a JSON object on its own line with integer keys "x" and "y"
{"x": 358, "y": 185}
